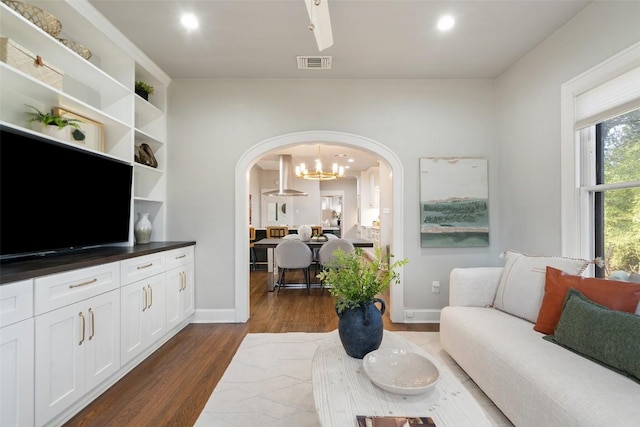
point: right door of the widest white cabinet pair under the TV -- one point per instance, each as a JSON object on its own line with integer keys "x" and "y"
{"x": 102, "y": 358}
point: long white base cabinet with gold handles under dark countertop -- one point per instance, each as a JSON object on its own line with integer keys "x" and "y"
{"x": 91, "y": 326}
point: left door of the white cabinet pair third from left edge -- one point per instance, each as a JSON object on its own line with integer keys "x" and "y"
{"x": 133, "y": 306}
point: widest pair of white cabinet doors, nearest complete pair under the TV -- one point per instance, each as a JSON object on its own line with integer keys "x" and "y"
{"x": 77, "y": 347}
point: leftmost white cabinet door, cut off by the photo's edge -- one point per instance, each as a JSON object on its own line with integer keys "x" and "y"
{"x": 16, "y": 374}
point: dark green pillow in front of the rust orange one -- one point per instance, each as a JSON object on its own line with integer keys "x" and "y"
{"x": 609, "y": 337}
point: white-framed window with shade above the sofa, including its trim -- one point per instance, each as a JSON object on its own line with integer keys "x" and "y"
{"x": 600, "y": 166}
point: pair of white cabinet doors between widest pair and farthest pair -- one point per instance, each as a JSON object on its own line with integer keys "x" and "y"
{"x": 143, "y": 315}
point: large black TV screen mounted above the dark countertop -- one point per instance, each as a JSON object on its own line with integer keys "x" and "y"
{"x": 56, "y": 197}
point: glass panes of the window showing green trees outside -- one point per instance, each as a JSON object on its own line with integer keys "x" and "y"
{"x": 616, "y": 195}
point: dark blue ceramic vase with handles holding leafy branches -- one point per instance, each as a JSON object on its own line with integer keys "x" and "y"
{"x": 360, "y": 328}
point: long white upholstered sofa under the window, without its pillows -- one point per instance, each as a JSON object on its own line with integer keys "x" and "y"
{"x": 534, "y": 382}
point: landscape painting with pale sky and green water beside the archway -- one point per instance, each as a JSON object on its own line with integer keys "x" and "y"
{"x": 454, "y": 202}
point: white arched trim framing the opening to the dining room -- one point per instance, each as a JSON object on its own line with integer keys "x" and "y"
{"x": 249, "y": 158}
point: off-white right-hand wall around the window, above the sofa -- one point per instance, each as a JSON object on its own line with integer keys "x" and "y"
{"x": 528, "y": 131}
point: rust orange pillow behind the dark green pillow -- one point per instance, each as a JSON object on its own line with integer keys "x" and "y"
{"x": 613, "y": 294}
